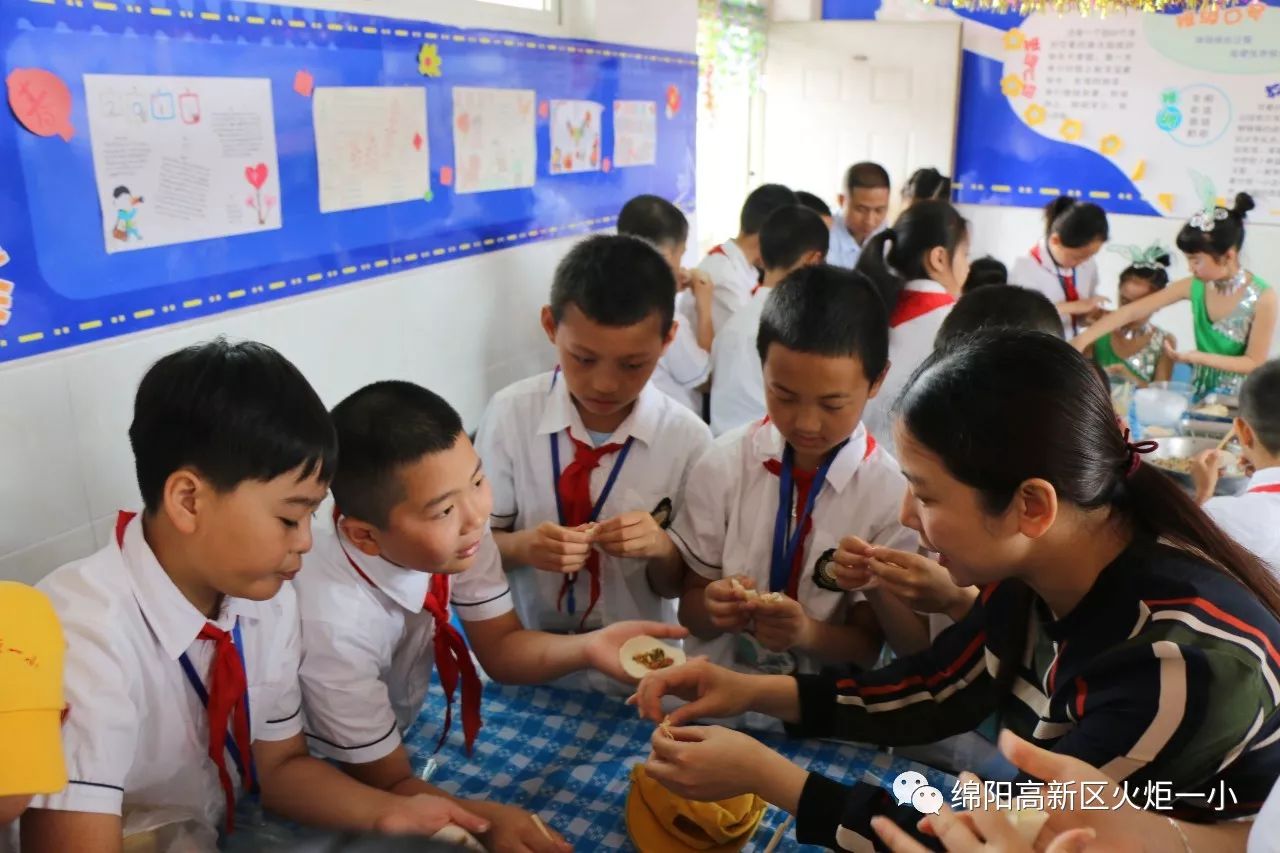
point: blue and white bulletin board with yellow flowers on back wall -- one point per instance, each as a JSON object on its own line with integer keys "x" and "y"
{"x": 1118, "y": 111}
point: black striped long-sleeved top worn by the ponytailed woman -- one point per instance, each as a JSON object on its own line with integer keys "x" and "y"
{"x": 1167, "y": 673}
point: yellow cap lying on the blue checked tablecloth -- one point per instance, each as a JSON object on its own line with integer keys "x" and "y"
{"x": 659, "y": 822}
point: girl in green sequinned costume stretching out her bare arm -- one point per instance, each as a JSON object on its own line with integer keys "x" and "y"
{"x": 1233, "y": 311}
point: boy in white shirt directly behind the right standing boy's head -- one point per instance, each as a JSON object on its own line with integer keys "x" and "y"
{"x": 792, "y": 238}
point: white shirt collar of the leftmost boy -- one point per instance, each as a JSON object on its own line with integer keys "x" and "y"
{"x": 175, "y": 621}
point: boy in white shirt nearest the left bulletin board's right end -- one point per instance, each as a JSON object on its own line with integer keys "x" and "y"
{"x": 684, "y": 368}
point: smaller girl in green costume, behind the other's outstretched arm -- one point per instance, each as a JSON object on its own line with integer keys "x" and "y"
{"x": 1137, "y": 353}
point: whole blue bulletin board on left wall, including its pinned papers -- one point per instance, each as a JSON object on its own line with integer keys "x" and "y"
{"x": 164, "y": 163}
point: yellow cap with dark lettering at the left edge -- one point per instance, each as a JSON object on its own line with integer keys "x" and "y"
{"x": 31, "y": 694}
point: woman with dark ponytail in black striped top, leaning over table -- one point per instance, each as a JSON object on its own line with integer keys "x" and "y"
{"x": 1117, "y": 623}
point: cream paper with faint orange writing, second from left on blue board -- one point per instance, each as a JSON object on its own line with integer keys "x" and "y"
{"x": 371, "y": 145}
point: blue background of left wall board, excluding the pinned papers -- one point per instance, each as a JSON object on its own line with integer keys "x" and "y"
{"x": 68, "y": 291}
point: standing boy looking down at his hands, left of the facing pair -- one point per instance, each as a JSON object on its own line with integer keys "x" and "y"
{"x": 588, "y": 463}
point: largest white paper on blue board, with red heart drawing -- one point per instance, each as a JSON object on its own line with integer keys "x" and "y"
{"x": 180, "y": 159}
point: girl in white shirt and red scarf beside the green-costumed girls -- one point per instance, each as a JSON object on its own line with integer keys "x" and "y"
{"x": 1062, "y": 266}
